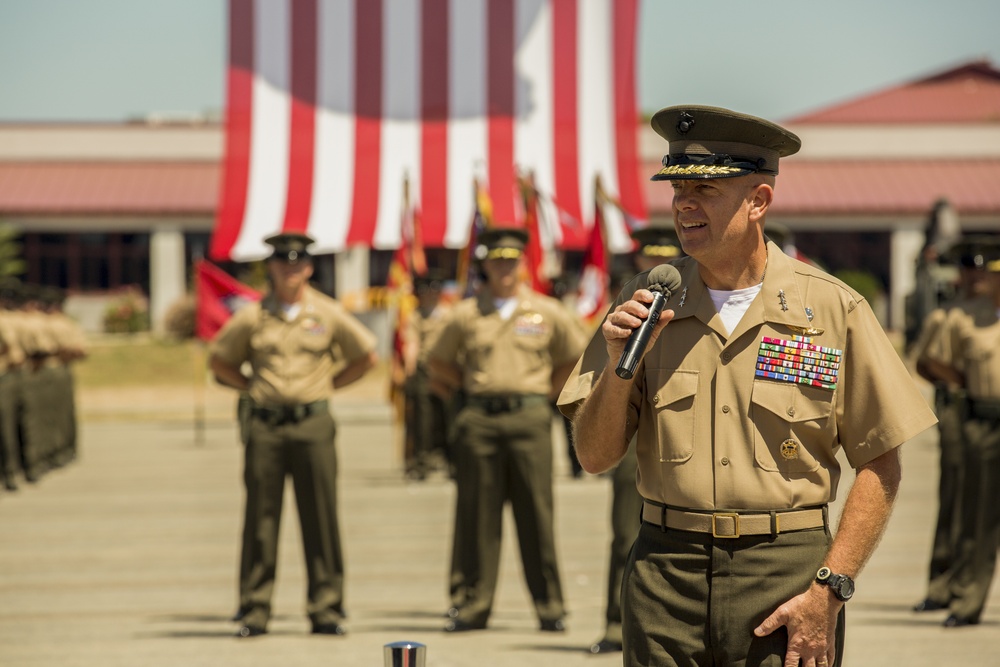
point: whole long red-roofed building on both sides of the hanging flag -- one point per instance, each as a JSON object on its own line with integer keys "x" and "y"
{"x": 103, "y": 205}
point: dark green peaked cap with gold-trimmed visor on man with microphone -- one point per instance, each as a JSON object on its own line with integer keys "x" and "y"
{"x": 711, "y": 142}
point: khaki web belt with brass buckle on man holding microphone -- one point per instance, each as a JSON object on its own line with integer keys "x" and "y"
{"x": 733, "y": 524}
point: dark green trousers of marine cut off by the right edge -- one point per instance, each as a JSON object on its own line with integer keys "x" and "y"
{"x": 980, "y": 519}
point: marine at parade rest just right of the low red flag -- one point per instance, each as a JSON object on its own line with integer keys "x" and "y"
{"x": 292, "y": 340}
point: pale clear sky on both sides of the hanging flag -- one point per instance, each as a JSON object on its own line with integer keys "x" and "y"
{"x": 109, "y": 60}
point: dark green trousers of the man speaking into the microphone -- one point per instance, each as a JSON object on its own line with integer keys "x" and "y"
{"x": 692, "y": 600}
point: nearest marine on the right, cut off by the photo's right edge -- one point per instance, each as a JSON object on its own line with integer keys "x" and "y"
{"x": 974, "y": 342}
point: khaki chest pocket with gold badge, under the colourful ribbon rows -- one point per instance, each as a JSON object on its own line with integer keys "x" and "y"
{"x": 790, "y": 422}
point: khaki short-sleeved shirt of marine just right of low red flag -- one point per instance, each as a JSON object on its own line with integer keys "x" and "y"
{"x": 292, "y": 361}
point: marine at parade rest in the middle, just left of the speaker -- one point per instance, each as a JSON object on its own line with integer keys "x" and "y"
{"x": 509, "y": 348}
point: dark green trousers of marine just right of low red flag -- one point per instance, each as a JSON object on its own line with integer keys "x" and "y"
{"x": 305, "y": 450}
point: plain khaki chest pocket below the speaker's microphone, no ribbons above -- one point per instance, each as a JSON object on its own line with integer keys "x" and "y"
{"x": 673, "y": 405}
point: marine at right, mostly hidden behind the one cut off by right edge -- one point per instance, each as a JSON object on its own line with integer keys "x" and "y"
{"x": 951, "y": 406}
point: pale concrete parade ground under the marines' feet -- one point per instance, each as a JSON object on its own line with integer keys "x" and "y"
{"x": 128, "y": 558}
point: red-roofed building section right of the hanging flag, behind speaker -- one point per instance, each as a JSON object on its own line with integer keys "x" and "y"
{"x": 860, "y": 193}
